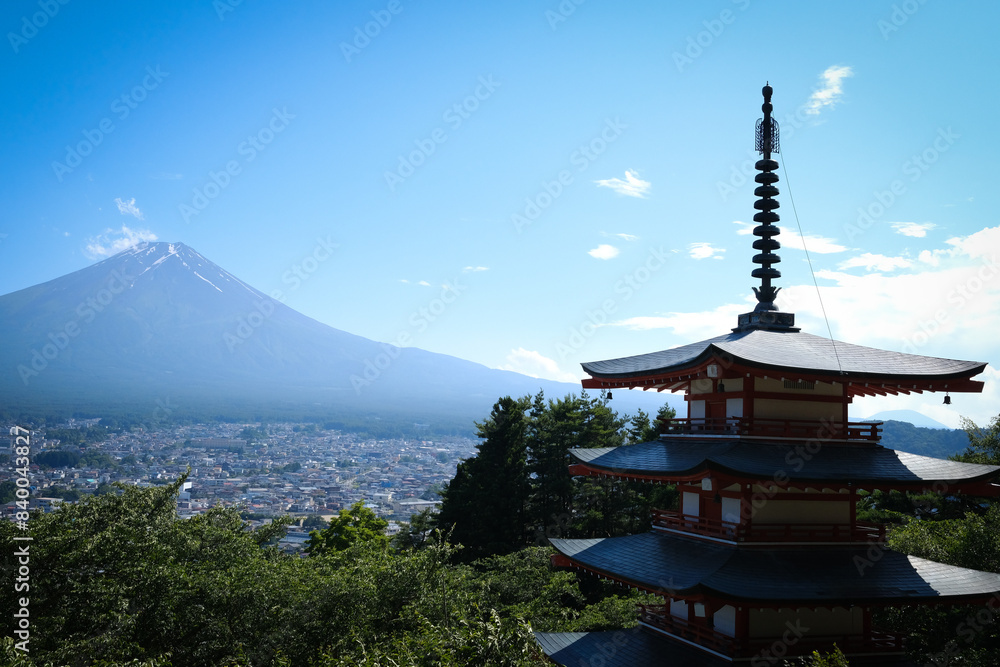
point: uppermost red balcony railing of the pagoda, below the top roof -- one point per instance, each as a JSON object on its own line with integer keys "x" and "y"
{"x": 753, "y": 427}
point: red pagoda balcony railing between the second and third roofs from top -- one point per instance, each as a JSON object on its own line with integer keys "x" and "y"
{"x": 860, "y": 532}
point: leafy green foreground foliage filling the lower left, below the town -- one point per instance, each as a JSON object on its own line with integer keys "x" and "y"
{"x": 119, "y": 579}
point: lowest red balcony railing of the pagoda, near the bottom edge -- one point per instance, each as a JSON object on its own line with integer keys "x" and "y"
{"x": 659, "y": 618}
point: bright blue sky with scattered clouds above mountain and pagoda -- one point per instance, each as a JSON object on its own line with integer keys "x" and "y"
{"x": 527, "y": 185}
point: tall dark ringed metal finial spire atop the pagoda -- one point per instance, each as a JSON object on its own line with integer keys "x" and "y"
{"x": 766, "y": 315}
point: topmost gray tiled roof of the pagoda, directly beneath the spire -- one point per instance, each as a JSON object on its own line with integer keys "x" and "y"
{"x": 788, "y": 351}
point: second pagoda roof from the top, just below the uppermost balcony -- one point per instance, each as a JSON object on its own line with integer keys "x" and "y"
{"x": 860, "y": 465}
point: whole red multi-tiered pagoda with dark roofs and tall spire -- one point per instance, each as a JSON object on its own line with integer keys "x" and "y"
{"x": 765, "y": 557}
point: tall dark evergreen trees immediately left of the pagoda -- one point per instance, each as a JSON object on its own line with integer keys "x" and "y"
{"x": 497, "y": 504}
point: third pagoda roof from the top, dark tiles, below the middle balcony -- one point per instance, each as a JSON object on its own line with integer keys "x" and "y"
{"x": 678, "y": 566}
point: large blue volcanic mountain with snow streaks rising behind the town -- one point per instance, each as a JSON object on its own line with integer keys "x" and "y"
{"x": 158, "y": 329}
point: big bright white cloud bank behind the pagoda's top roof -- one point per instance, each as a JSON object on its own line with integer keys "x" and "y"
{"x": 949, "y": 310}
